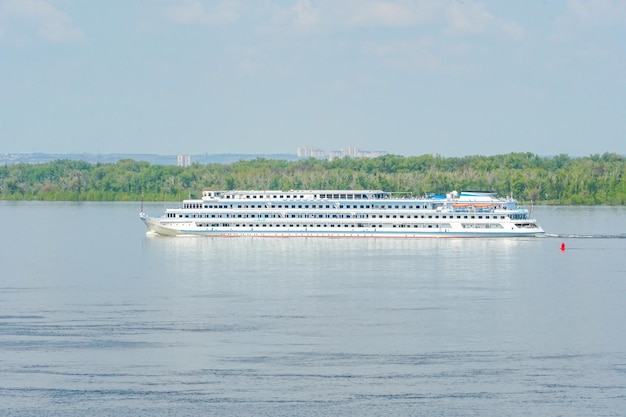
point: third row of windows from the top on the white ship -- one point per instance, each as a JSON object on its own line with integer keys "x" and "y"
{"x": 333, "y": 216}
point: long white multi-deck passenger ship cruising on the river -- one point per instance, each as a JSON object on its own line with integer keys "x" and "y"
{"x": 345, "y": 213}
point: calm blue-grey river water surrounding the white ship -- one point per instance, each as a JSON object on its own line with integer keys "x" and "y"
{"x": 99, "y": 319}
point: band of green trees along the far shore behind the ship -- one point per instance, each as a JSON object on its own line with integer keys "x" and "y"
{"x": 597, "y": 179}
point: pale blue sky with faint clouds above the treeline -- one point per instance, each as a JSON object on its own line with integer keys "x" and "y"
{"x": 409, "y": 77}
